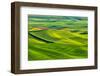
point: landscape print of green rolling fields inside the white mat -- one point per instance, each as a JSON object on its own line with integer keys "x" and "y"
{"x": 57, "y": 37}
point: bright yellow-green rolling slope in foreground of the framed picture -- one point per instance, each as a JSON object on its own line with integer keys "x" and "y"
{"x": 66, "y": 45}
